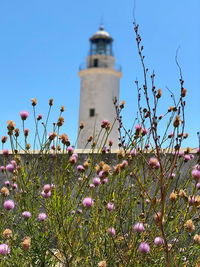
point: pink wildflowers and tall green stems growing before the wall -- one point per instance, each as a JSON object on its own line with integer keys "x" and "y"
{"x": 142, "y": 210}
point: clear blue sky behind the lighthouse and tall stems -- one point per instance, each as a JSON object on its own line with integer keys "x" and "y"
{"x": 44, "y": 42}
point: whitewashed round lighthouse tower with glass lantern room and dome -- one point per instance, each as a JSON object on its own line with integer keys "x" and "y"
{"x": 100, "y": 80}
